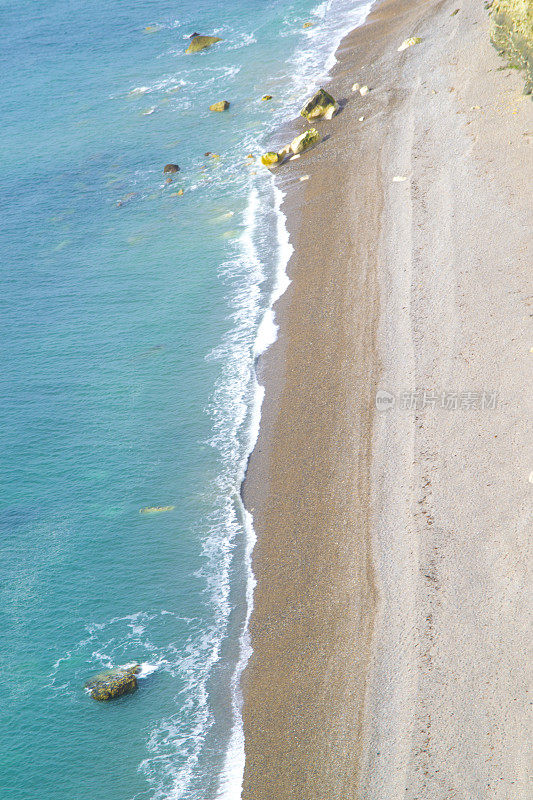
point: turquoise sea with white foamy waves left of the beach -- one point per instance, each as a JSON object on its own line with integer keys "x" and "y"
{"x": 132, "y": 313}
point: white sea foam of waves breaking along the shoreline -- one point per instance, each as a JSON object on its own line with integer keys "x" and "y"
{"x": 254, "y": 285}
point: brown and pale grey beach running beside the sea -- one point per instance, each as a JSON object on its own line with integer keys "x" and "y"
{"x": 391, "y": 620}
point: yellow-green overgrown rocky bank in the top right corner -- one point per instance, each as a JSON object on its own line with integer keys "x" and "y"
{"x": 511, "y": 33}
